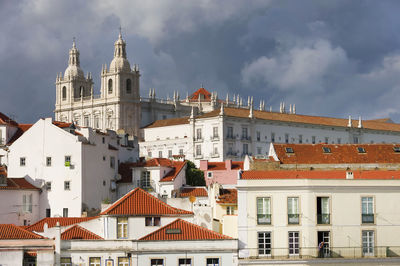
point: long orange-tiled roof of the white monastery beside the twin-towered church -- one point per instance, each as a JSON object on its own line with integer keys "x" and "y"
{"x": 291, "y": 118}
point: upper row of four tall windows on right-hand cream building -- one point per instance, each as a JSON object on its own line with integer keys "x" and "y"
{"x": 264, "y": 214}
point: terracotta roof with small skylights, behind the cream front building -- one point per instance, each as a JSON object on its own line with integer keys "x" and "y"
{"x": 339, "y": 153}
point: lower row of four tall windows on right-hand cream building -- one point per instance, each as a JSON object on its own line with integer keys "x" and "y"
{"x": 265, "y": 247}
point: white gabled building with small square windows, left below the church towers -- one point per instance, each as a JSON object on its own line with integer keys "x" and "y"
{"x": 76, "y": 168}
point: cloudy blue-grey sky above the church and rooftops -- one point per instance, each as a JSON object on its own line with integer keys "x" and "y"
{"x": 331, "y": 58}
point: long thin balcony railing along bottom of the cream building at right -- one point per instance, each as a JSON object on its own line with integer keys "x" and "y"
{"x": 268, "y": 253}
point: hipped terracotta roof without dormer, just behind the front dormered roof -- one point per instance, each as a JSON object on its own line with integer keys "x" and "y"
{"x": 138, "y": 202}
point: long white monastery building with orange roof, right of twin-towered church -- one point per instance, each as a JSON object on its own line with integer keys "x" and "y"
{"x": 234, "y": 132}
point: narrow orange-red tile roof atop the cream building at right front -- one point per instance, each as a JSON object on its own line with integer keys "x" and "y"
{"x": 320, "y": 174}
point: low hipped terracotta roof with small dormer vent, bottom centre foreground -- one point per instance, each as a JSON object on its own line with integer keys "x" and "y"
{"x": 183, "y": 230}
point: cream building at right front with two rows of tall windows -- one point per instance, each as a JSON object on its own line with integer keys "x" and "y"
{"x": 288, "y": 213}
